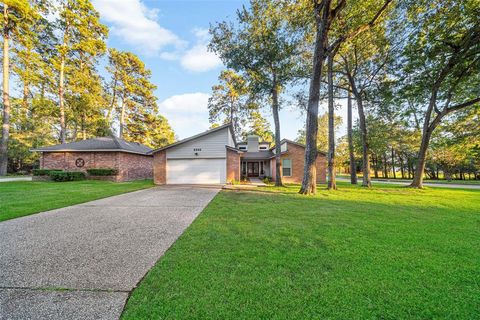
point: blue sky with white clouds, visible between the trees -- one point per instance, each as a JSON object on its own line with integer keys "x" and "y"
{"x": 171, "y": 37}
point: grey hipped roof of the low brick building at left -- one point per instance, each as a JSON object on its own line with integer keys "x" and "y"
{"x": 98, "y": 144}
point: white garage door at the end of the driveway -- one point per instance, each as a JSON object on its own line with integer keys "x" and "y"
{"x": 196, "y": 171}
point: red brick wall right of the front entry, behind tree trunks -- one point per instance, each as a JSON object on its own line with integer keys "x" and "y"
{"x": 297, "y": 155}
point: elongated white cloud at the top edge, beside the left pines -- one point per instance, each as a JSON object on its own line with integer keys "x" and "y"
{"x": 137, "y": 25}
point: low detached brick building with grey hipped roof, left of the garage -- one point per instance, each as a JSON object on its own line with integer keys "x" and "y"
{"x": 132, "y": 160}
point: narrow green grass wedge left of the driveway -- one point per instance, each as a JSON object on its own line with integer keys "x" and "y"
{"x": 23, "y": 198}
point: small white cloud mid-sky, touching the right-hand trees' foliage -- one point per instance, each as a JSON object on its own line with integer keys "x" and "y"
{"x": 198, "y": 58}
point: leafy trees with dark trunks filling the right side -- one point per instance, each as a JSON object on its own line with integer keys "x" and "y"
{"x": 410, "y": 70}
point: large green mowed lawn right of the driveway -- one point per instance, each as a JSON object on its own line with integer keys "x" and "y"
{"x": 386, "y": 253}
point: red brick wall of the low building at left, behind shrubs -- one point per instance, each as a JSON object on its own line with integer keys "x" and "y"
{"x": 130, "y": 166}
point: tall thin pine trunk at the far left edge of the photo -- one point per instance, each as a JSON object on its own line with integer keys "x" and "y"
{"x": 6, "y": 97}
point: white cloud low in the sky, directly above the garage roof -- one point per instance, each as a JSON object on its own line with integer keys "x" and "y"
{"x": 187, "y": 113}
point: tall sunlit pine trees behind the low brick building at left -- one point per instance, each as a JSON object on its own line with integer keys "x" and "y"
{"x": 61, "y": 83}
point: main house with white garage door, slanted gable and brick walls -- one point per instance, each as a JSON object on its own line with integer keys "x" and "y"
{"x": 214, "y": 157}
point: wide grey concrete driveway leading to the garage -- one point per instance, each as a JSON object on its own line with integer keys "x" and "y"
{"x": 81, "y": 262}
